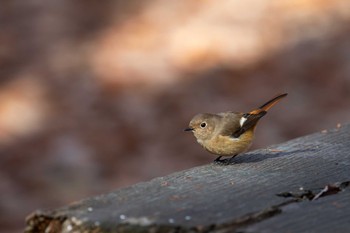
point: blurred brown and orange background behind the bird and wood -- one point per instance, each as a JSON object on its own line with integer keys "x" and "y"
{"x": 94, "y": 95}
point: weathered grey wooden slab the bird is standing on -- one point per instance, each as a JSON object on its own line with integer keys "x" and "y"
{"x": 240, "y": 197}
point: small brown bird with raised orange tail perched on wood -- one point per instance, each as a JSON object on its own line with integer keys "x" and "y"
{"x": 228, "y": 133}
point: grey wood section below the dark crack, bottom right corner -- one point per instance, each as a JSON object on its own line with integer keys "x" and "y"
{"x": 329, "y": 214}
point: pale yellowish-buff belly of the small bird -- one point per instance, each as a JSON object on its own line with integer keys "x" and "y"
{"x": 226, "y": 146}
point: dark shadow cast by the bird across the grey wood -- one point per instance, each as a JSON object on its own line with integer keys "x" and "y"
{"x": 260, "y": 155}
